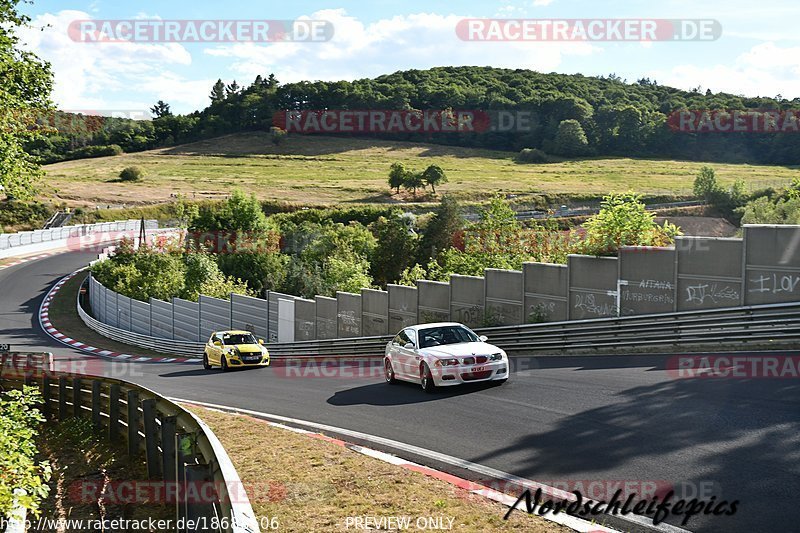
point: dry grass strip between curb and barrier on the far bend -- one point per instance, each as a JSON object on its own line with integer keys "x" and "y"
{"x": 65, "y": 319}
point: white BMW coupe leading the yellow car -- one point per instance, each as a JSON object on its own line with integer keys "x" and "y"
{"x": 443, "y": 354}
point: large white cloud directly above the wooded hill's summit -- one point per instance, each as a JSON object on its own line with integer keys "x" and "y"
{"x": 359, "y": 50}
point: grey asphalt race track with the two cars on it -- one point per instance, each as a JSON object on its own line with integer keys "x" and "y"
{"x": 558, "y": 419}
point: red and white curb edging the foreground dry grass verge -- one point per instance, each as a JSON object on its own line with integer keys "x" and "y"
{"x": 472, "y": 487}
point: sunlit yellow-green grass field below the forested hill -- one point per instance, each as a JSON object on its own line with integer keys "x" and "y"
{"x": 328, "y": 170}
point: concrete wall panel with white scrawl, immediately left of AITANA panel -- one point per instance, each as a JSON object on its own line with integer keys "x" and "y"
{"x": 592, "y": 286}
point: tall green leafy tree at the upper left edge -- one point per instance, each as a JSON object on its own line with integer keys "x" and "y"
{"x": 24, "y": 93}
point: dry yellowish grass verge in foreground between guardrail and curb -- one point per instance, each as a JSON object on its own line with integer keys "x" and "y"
{"x": 312, "y": 485}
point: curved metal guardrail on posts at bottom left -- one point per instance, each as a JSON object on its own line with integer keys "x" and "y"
{"x": 179, "y": 448}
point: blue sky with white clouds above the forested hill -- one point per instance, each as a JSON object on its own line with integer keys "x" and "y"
{"x": 757, "y": 54}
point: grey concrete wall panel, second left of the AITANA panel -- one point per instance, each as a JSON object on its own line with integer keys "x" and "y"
{"x": 545, "y": 287}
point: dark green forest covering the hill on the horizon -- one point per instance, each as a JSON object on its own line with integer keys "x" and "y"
{"x": 576, "y": 115}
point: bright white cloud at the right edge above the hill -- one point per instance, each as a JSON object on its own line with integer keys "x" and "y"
{"x": 764, "y": 70}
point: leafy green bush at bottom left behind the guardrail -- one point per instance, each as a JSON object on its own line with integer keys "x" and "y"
{"x": 19, "y": 424}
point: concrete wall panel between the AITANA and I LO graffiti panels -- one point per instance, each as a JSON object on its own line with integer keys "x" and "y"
{"x": 709, "y": 272}
